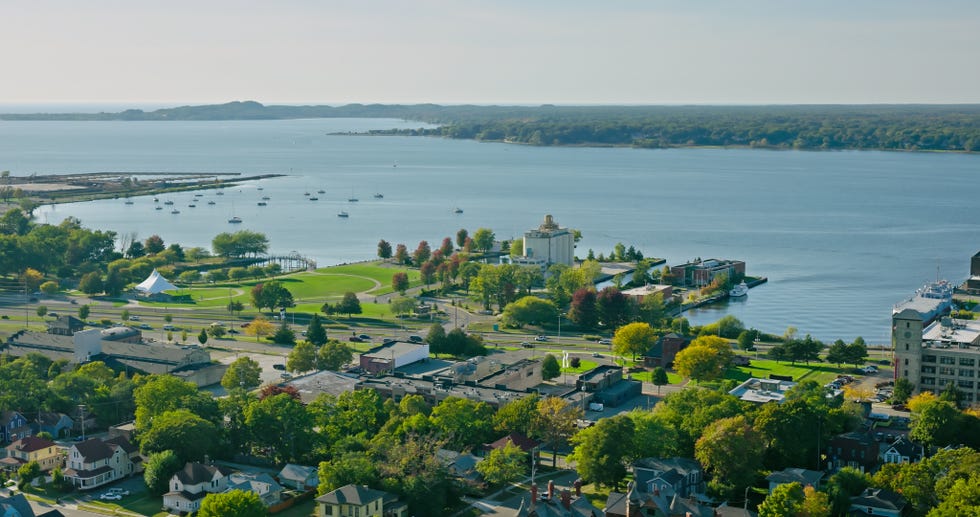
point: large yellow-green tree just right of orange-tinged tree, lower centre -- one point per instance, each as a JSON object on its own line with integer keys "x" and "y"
{"x": 600, "y": 451}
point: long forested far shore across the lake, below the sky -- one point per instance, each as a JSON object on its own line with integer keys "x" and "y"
{"x": 830, "y": 127}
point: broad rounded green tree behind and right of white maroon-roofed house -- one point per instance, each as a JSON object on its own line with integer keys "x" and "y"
{"x": 189, "y": 436}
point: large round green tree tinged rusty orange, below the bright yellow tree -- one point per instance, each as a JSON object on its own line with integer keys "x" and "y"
{"x": 732, "y": 451}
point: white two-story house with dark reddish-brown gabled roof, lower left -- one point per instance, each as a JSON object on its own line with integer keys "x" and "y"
{"x": 95, "y": 462}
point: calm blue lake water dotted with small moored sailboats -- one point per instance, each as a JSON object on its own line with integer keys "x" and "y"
{"x": 842, "y": 236}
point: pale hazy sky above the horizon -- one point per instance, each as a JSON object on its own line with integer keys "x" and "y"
{"x": 504, "y": 51}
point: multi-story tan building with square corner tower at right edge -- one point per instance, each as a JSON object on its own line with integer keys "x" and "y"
{"x": 933, "y": 357}
